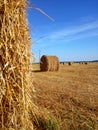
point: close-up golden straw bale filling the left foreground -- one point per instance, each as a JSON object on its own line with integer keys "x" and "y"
{"x": 15, "y": 84}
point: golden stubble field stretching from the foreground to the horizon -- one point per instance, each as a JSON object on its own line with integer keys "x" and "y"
{"x": 71, "y": 95}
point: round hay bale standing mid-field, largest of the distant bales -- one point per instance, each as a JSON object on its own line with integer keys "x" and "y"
{"x": 49, "y": 63}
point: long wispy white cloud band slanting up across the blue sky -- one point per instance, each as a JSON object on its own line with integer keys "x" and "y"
{"x": 68, "y": 34}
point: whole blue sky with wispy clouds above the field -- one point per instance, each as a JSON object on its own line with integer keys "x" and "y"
{"x": 71, "y": 34}
